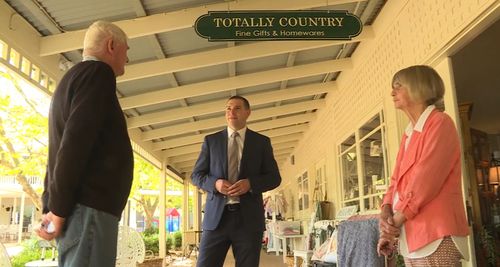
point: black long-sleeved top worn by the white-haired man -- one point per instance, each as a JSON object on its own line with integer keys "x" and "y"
{"x": 90, "y": 156}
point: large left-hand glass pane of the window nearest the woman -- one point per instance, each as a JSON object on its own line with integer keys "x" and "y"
{"x": 350, "y": 176}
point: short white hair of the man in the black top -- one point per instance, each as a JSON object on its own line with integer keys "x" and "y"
{"x": 98, "y": 33}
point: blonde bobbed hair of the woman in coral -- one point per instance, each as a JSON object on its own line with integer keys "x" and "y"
{"x": 424, "y": 84}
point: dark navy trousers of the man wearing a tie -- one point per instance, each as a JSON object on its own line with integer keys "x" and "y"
{"x": 214, "y": 244}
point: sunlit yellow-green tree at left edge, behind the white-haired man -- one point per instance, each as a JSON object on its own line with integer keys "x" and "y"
{"x": 23, "y": 136}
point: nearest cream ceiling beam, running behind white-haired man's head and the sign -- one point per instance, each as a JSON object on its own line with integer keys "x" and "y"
{"x": 165, "y": 22}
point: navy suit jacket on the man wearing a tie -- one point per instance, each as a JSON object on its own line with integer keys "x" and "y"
{"x": 257, "y": 164}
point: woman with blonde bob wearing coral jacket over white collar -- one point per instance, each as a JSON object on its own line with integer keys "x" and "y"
{"x": 423, "y": 206}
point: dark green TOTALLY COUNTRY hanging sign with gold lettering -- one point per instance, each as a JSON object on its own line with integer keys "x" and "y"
{"x": 278, "y": 25}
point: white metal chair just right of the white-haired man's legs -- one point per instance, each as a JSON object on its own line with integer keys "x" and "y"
{"x": 130, "y": 248}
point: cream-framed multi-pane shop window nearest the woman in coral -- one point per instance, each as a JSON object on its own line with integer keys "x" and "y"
{"x": 363, "y": 164}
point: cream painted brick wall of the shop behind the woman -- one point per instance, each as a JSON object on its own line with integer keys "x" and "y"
{"x": 407, "y": 32}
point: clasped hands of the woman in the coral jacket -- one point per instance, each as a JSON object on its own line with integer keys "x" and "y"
{"x": 389, "y": 226}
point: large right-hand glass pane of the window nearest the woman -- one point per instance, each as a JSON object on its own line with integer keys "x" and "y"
{"x": 373, "y": 162}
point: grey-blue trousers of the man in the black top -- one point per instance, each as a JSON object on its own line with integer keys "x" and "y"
{"x": 90, "y": 239}
